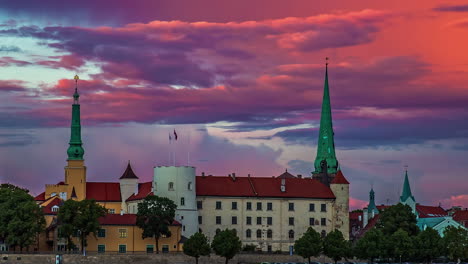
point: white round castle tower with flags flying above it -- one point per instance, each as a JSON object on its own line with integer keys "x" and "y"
{"x": 178, "y": 184}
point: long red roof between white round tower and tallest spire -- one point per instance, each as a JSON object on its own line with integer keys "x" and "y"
{"x": 261, "y": 187}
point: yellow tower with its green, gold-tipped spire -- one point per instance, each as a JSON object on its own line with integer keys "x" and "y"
{"x": 75, "y": 171}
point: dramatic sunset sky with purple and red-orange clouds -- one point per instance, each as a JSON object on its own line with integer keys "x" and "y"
{"x": 241, "y": 82}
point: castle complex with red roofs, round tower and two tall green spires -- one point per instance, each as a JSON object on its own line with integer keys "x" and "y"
{"x": 269, "y": 212}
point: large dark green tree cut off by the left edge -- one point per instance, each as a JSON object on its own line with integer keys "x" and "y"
{"x": 21, "y": 220}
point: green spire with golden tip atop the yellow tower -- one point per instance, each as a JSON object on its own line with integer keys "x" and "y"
{"x": 75, "y": 150}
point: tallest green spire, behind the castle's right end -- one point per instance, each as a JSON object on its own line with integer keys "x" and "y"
{"x": 326, "y": 143}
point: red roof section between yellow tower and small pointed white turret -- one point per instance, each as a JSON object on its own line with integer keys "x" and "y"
{"x": 103, "y": 191}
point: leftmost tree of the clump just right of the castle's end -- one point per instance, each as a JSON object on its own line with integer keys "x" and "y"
{"x": 370, "y": 246}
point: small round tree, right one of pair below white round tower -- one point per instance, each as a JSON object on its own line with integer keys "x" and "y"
{"x": 226, "y": 244}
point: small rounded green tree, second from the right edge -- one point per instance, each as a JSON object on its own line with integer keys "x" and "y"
{"x": 429, "y": 245}
